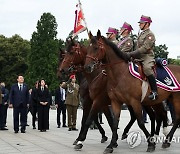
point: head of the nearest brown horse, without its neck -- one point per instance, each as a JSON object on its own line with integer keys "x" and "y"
{"x": 95, "y": 52}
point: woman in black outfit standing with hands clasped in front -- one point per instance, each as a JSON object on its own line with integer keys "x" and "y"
{"x": 43, "y": 107}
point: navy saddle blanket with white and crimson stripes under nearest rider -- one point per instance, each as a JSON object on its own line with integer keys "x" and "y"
{"x": 164, "y": 79}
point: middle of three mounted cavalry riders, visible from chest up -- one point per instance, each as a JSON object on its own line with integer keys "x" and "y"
{"x": 126, "y": 42}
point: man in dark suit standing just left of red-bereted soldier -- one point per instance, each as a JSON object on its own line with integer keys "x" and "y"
{"x": 60, "y": 104}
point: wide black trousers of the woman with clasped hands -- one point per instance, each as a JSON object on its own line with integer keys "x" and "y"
{"x": 43, "y": 117}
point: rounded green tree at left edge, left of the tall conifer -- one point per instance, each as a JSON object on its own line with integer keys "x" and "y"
{"x": 13, "y": 58}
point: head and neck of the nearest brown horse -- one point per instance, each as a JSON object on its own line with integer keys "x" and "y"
{"x": 101, "y": 50}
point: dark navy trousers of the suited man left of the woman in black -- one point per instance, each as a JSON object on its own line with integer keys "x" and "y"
{"x": 22, "y": 111}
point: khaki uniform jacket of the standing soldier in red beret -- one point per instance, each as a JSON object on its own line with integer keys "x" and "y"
{"x": 72, "y": 95}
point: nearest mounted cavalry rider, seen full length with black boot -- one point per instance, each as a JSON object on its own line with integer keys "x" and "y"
{"x": 144, "y": 52}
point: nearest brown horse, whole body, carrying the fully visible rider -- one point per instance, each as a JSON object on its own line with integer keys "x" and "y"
{"x": 123, "y": 87}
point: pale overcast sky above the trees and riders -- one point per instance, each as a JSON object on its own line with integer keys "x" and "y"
{"x": 21, "y": 16}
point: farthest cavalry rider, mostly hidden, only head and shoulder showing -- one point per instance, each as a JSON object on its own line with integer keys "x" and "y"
{"x": 111, "y": 35}
